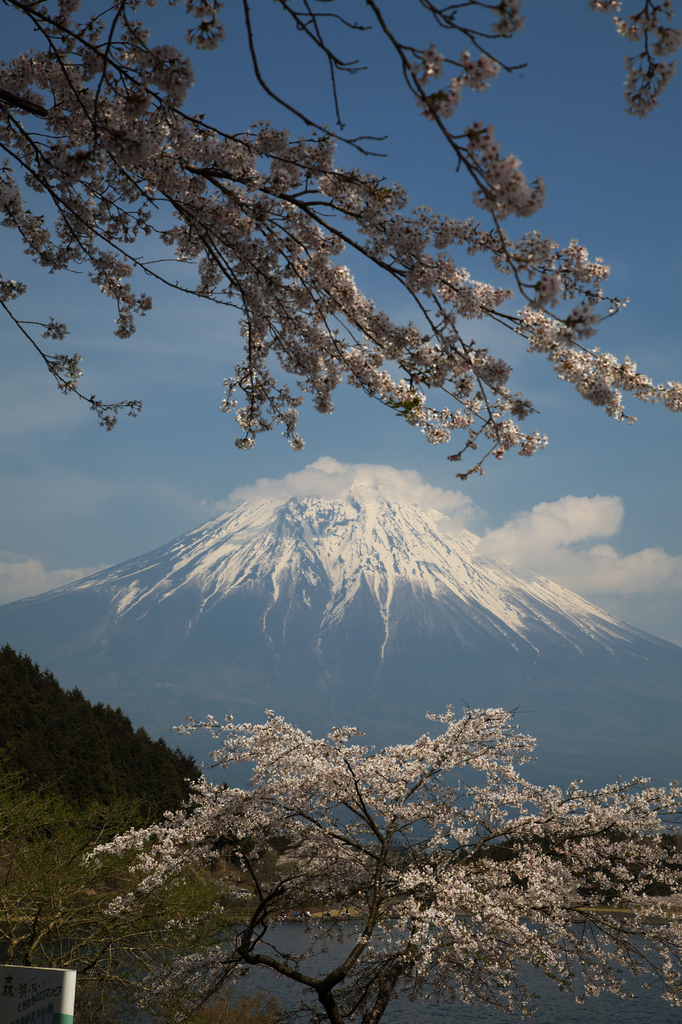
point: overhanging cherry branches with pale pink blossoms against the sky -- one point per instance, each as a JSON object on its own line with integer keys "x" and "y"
{"x": 94, "y": 119}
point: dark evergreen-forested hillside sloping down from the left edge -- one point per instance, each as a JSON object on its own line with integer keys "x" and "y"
{"x": 88, "y": 753}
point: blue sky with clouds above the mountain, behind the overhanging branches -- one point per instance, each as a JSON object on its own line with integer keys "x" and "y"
{"x": 607, "y": 496}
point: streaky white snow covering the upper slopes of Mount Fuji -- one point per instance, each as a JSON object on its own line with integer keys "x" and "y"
{"x": 326, "y": 551}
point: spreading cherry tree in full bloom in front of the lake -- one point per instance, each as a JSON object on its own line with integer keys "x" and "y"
{"x": 436, "y": 889}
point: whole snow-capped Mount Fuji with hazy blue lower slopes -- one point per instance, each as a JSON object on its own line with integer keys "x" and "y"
{"x": 363, "y": 613}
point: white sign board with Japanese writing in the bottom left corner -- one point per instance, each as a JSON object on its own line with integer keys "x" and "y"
{"x": 36, "y": 996}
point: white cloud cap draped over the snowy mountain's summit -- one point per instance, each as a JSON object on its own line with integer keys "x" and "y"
{"x": 338, "y": 482}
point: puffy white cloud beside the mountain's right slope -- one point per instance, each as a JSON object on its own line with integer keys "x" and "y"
{"x": 547, "y": 540}
